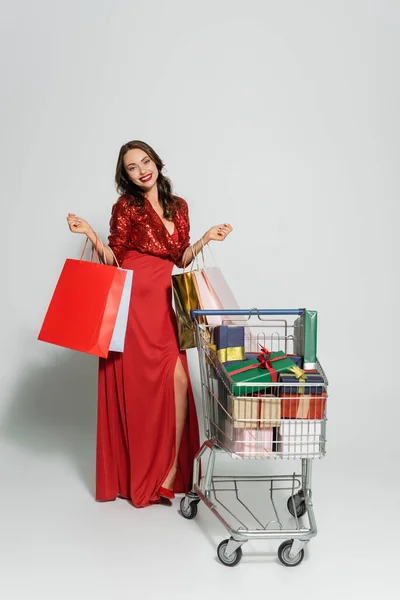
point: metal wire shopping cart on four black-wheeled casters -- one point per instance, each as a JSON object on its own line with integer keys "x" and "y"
{"x": 253, "y": 421}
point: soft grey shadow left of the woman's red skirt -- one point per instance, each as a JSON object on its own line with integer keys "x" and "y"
{"x": 53, "y": 411}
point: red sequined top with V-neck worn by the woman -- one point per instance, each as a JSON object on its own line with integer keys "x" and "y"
{"x": 134, "y": 228}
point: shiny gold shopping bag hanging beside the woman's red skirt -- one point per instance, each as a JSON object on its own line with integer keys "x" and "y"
{"x": 185, "y": 299}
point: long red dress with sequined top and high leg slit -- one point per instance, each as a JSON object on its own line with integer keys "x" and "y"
{"x": 136, "y": 401}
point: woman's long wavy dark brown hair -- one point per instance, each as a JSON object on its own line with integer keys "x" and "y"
{"x": 126, "y": 187}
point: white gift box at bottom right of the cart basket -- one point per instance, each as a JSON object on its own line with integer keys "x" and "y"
{"x": 300, "y": 438}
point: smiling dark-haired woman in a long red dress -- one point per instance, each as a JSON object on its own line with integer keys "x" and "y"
{"x": 147, "y": 430}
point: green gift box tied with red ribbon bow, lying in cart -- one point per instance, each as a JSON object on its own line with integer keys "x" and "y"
{"x": 261, "y": 370}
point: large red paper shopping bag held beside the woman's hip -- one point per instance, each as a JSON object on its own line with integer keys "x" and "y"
{"x": 84, "y": 307}
